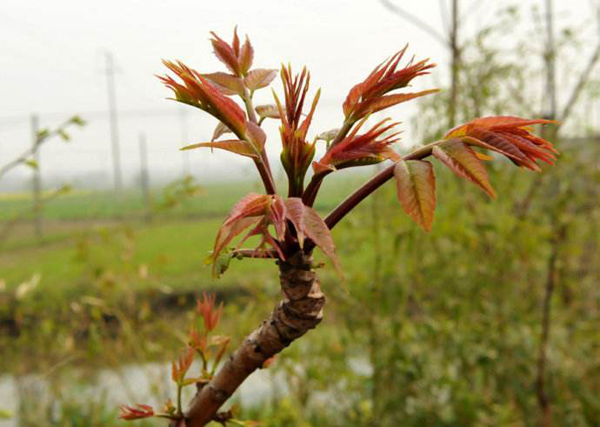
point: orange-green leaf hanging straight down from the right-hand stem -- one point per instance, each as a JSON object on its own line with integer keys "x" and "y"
{"x": 415, "y": 183}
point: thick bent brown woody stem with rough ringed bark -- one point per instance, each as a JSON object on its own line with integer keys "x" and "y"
{"x": 300, "y": 309}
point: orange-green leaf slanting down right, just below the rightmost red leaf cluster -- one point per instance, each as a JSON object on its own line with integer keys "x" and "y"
{"x": 461, "y": 159}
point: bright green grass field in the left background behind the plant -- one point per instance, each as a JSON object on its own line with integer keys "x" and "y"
{"x": 171, "y": 249}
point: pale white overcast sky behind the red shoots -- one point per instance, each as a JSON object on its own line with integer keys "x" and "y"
{"x": 53, "y": 64}
